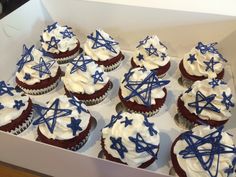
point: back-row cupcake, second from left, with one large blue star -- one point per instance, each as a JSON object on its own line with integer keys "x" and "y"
{"x": 104, "y": 50}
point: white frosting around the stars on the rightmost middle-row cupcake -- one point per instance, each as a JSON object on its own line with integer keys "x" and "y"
{"x": 207, "y": 89}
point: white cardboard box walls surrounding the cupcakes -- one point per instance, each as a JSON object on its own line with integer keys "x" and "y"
{"x": 178, "y": 29}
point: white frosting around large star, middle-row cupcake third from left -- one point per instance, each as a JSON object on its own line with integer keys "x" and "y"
{"x": 138, "y": 75}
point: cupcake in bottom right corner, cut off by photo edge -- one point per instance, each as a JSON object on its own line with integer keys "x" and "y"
{"x": 204, "y": 152}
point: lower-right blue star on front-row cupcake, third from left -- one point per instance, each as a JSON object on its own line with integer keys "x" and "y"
{"x": 143, "y": 146}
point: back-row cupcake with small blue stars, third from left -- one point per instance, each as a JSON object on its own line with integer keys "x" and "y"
{"x": 152, "y": 54}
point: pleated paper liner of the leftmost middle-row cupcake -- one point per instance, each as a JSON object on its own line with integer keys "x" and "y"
{"x": 40, "y": 91}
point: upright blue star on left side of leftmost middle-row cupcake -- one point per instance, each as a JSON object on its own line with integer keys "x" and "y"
{"x": 25, "y": 57}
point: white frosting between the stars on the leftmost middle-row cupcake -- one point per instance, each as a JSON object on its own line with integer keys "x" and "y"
{"x": 34, "y": 76}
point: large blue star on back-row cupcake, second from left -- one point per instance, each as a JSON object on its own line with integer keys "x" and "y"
{"x": 100, "y": 41}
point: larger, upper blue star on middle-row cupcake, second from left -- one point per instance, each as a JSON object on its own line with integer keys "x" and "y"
{"x": 80, "y": 63}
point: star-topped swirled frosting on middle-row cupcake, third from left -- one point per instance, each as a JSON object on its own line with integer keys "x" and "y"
{"x": 142, "y": 86}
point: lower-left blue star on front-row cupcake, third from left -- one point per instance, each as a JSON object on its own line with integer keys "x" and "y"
{"x": 118, "y": 146}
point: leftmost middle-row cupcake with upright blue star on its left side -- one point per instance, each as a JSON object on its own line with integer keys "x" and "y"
{"x": 36, "y": 73}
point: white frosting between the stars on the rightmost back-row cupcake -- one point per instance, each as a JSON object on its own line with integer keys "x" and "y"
{"x": 198, "y": 67}
